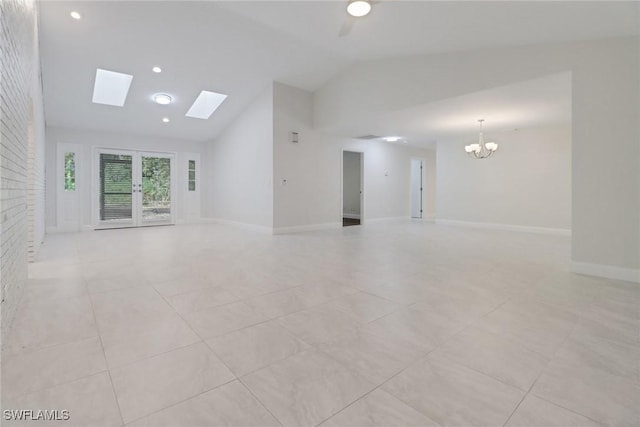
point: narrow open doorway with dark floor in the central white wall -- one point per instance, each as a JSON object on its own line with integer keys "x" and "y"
{"x": 352, "y": 179}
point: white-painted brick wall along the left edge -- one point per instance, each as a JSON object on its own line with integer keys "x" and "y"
{"x": 21, "y": 149}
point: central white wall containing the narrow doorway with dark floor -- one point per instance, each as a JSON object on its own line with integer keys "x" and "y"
{"x": 312, "y": 169}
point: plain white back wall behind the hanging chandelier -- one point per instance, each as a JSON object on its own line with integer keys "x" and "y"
{"x": 527, "y": 182}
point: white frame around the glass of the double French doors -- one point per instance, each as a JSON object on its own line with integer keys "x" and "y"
{"x": 136, "y": 220}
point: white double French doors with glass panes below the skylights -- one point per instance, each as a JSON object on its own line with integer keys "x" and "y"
{"x": 134, "y": 188}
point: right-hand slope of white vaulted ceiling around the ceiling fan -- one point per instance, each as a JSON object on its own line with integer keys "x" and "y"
{"x": 399, "y": 28}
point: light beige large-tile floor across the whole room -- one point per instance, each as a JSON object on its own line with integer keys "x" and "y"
{"x": 389, "y": 324}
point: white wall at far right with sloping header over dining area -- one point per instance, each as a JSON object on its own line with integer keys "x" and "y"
{"x": 605, "y": 131}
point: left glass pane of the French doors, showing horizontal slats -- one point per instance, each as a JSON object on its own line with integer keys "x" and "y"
{"x": 116, "y": 199}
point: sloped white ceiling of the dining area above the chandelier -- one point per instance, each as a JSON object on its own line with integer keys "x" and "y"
{"x": 539, "y": 102}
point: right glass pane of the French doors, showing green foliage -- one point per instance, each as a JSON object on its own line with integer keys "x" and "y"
{"x": 156, "y": 189}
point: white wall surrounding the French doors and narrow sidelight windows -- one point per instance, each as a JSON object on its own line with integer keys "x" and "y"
{"x": 88, "y": 141}
